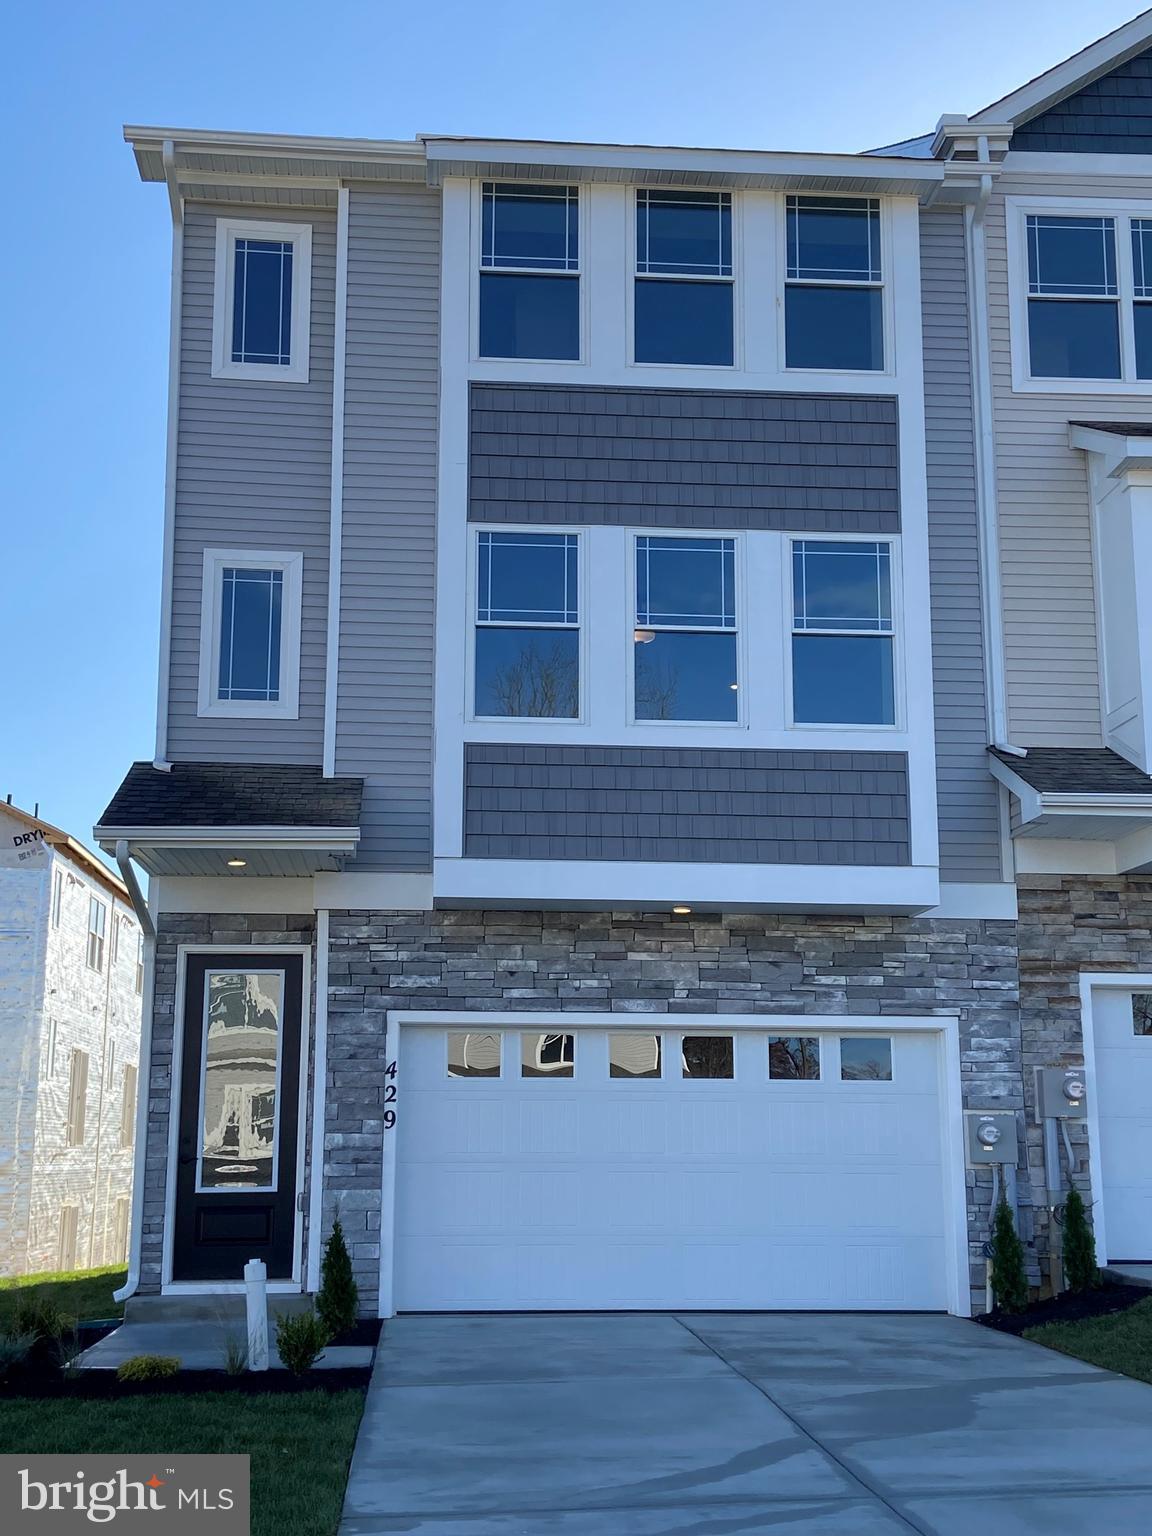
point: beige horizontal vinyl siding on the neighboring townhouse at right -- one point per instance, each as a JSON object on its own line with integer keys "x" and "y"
{"x": 1045, "y": 514}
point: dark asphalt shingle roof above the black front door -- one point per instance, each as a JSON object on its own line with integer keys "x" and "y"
{"x": 234, "y": 795}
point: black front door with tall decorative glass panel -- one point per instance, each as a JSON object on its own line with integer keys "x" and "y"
{"x": 239, "y": 1114}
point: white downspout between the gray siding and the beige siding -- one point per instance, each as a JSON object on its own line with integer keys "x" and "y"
{"x": 991, "y": 597}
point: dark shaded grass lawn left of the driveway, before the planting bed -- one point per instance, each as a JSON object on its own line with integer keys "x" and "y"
{"x": 300, "y": 1445}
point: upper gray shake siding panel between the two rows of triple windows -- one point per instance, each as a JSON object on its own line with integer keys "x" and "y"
{"x": 690, "y": 458}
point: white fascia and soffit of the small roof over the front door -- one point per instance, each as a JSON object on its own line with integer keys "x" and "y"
{"x": 208, "y": 850}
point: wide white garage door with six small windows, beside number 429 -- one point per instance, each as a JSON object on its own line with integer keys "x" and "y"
{"x": 664, "y": 1171}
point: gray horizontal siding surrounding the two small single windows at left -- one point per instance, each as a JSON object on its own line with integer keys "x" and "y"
{"x": 253, "y": 472}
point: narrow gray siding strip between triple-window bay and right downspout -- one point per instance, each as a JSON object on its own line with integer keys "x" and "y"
{"x": 967, "y": 793}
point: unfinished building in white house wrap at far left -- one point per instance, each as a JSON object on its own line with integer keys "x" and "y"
{"x": 71, "y": 999}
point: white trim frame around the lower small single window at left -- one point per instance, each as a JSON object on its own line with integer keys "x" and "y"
{"x": 293, "y": 566}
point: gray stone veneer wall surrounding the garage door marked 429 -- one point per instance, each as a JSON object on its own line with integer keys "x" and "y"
{"x": 634, "y": 964}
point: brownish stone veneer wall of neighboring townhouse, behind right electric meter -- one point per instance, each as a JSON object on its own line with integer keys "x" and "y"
{"x": 1071, "y": 924}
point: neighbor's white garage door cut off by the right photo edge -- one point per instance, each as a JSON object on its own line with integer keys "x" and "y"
{"x": 1122, "y": 1024}
